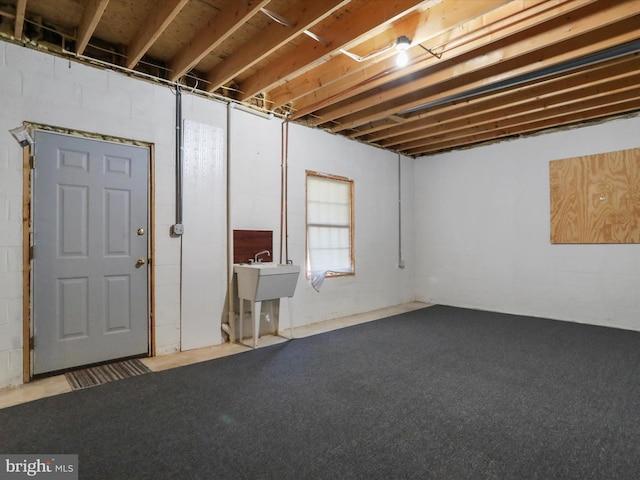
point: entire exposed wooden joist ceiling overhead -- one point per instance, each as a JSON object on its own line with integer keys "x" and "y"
{"x": 479, "y": 70}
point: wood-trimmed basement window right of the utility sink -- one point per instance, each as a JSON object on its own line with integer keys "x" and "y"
{"x": 329, "y": 225}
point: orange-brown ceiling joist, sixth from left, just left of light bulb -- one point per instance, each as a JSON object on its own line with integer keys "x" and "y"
{"x": 371, "y": 15}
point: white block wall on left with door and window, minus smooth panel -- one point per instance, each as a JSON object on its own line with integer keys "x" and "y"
{"x": 53, "y": 91}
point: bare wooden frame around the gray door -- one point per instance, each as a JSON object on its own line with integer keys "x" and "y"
{"x": 27, "y": 238}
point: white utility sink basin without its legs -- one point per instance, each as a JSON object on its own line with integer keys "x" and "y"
{"x": 266, "y": 281}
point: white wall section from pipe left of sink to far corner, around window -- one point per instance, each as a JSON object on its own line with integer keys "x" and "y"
{"x": 255, "y": 192}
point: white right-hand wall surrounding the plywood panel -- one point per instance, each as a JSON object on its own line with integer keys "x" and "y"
{"x": 482, "y": 233}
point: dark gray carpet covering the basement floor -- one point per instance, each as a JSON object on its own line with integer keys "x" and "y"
{"x": 441, "y": 393}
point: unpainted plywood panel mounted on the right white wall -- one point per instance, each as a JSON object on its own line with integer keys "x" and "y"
{"x": 596, "y": 198}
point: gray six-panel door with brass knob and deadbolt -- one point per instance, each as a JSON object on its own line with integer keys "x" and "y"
{"x": 90, "y": 216}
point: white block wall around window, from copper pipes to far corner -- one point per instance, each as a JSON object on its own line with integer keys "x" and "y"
{"x": 378, "y": 281}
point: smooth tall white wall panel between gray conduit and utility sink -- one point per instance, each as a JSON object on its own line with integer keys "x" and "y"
{"x": 204, "y": 238}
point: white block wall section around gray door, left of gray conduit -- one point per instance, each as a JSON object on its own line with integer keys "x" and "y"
{"x": 54, "y": 91}
